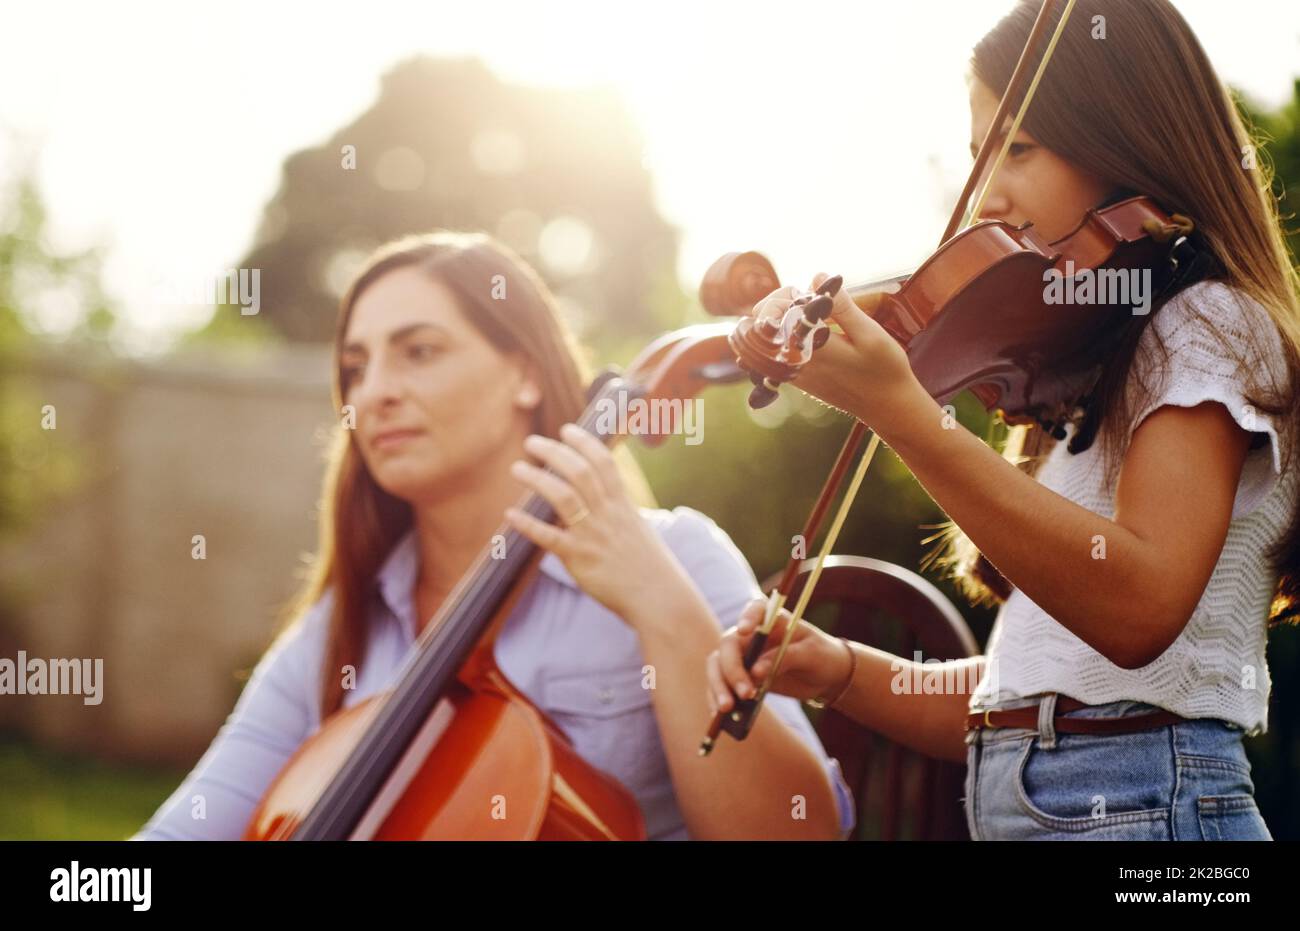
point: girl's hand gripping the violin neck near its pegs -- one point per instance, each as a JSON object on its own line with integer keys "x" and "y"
{"x": 863, "y": 371}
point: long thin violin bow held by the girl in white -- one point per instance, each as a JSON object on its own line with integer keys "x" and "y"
{"x": 817, "y": 308}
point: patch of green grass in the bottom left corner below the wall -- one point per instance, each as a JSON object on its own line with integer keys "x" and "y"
{"x": 55, "y": 796}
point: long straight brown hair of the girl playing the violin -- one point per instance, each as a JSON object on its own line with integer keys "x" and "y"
{"x": 1141, "y": 107}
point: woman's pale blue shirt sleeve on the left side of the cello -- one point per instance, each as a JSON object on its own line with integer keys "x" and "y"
{"x": 276, "y": 712}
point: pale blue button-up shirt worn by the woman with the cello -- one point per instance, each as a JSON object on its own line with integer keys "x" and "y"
{"x": 571, "y": 657}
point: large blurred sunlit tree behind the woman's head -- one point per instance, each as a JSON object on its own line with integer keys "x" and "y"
{"x": 558, "y": 175}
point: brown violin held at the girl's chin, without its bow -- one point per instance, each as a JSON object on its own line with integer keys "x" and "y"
{"x": 974, "y": 317}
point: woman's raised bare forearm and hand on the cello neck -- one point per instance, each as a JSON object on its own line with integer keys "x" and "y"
{"x": 618, "y": 558}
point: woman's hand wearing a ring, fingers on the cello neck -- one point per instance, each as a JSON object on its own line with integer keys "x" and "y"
{"x": 601, "y": 538}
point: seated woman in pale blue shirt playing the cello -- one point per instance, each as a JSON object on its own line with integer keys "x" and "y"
{"x": 452, "y": 354}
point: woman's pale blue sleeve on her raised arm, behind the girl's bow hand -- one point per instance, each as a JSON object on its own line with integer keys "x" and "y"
{"x": 727, "y": 582}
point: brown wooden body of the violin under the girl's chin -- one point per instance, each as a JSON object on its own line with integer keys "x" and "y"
{"x": 976, "y": 315}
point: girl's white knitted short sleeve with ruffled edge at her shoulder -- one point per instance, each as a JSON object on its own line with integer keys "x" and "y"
{"x": 1211, "y": 343}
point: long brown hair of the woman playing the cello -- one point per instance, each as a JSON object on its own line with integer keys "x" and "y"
{"x": 359, "y": 522}
